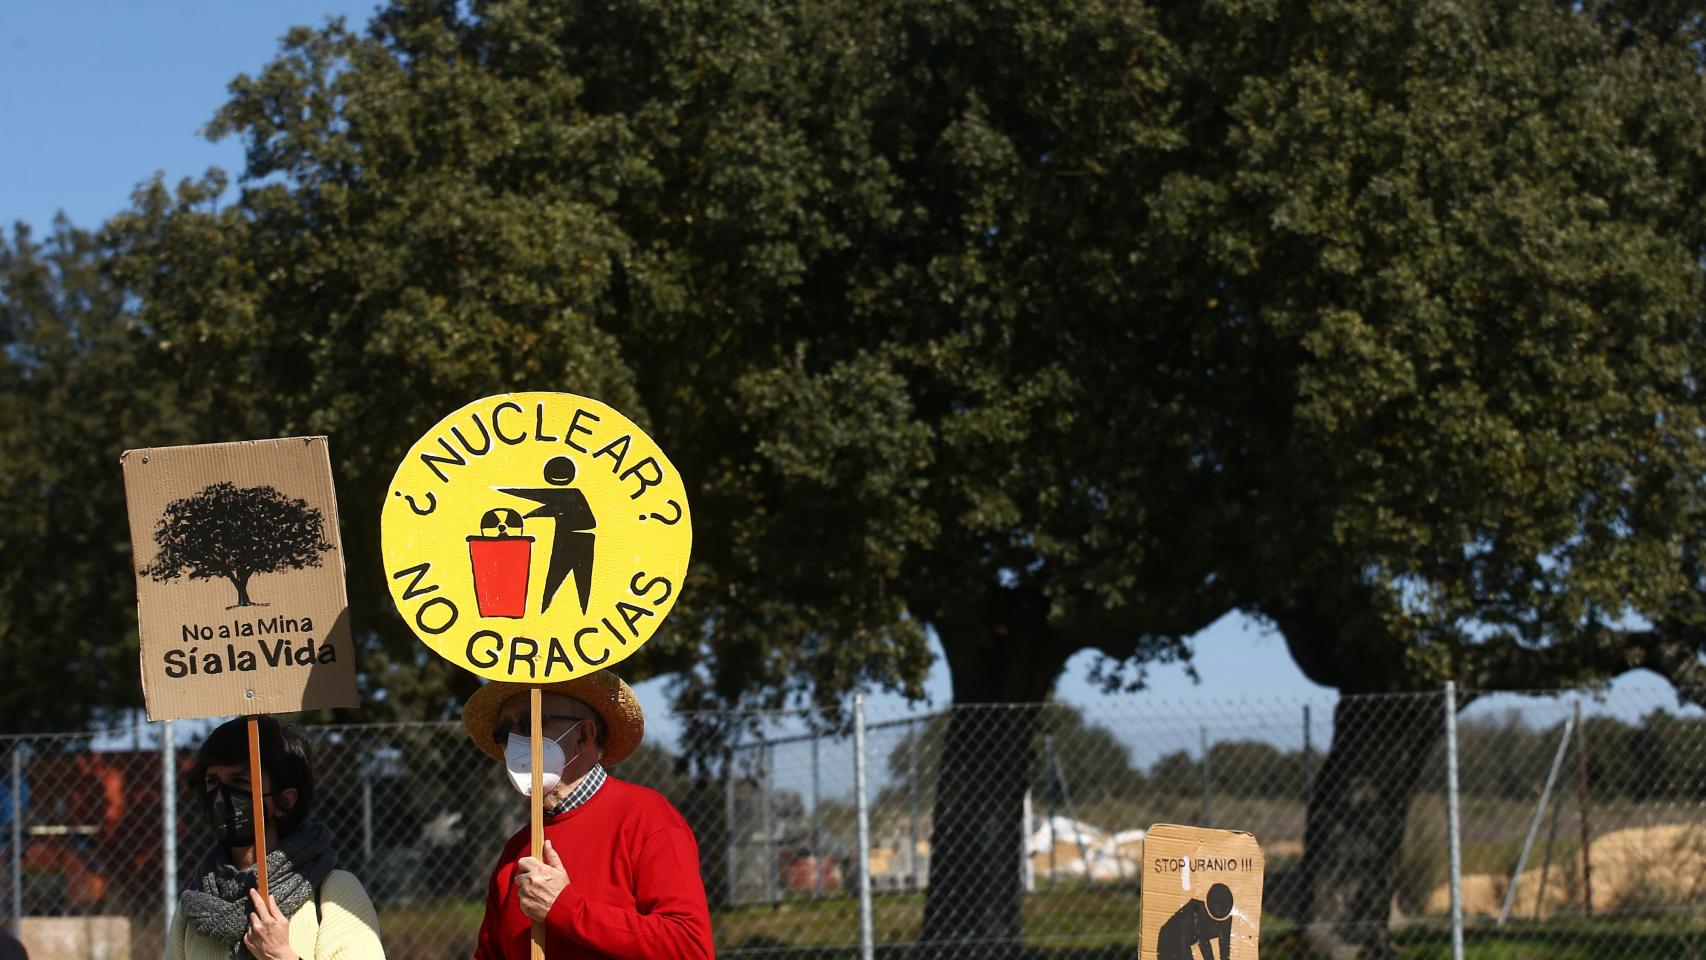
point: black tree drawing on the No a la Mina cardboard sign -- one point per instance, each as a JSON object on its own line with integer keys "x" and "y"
{"x": 236, "y": 533}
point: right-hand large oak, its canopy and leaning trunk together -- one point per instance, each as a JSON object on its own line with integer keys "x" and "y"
{"x": 1471, "y": 241}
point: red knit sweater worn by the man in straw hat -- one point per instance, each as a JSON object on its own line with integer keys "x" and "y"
{"x": 634, "y": 886}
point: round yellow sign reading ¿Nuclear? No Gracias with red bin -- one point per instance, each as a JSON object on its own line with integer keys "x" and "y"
{"x": 537, "y": 538}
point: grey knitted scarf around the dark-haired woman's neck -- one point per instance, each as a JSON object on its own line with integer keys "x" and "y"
{"x": 218, "y": 901}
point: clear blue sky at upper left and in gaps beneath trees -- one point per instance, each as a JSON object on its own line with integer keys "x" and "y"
{"x": 98, "y": 96}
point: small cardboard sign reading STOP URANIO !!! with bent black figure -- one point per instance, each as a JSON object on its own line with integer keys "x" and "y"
{"x": 1202, "y": 894}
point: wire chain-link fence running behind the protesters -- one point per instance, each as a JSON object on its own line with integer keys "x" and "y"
{"x": 989, "y": 831}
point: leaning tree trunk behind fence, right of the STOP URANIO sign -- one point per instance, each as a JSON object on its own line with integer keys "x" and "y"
{"x": 1357, "y": 819}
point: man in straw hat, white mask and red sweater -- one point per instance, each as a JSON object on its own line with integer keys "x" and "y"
{"x": 620, "y": 874}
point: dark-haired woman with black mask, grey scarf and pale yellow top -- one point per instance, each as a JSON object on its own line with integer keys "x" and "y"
{"x": 313, "y": 911}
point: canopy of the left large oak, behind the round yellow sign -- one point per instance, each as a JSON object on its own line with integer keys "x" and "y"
{"x": 876, "y": 340}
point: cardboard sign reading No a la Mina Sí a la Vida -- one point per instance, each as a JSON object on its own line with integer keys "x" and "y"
{"x": 240, "y": 579}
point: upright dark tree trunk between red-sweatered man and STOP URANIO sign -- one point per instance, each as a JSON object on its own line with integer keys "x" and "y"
{"x": 975, "y": 906}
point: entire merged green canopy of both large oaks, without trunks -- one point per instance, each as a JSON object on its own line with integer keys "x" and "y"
{"x": 1320, "y": 309}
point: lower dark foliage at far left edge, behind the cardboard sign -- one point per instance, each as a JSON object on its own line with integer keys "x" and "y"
{"x": 78, "y": 385}
